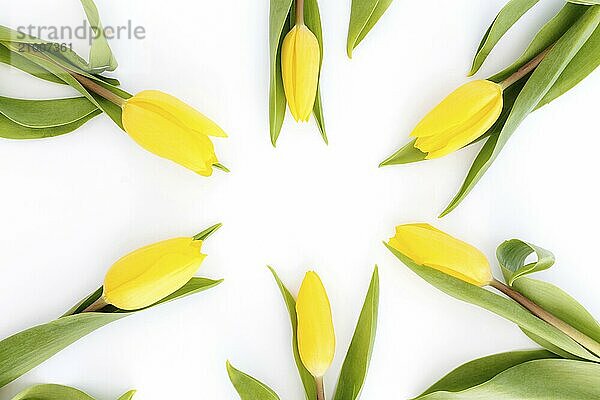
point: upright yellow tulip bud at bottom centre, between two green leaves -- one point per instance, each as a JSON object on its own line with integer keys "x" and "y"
{"x": 316, "y": 338}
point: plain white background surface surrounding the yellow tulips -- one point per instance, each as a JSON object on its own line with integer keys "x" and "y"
{"x": 72, "y": 205}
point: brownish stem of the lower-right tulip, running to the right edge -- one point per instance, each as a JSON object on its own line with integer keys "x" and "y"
{"x": 581, "y": 338}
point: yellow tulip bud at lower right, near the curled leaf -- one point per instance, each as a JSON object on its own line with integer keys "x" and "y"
{"x": 433, "y": 248}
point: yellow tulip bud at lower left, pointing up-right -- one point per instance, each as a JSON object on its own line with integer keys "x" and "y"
{"x": 152, "y": 273}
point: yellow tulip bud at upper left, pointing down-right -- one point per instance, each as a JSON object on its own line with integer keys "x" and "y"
{"x": 169, "y": 128}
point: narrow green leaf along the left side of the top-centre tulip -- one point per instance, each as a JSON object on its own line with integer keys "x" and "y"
{"x": 279, "y": 26}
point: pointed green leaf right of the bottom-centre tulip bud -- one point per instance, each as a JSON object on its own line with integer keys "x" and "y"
{"x": 356, "y": 364}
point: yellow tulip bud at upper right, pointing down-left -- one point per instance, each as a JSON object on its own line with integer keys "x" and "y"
{"x": 463, "y": 116}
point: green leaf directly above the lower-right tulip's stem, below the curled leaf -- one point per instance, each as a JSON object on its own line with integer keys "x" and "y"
{"x": 560, "y": 304}
